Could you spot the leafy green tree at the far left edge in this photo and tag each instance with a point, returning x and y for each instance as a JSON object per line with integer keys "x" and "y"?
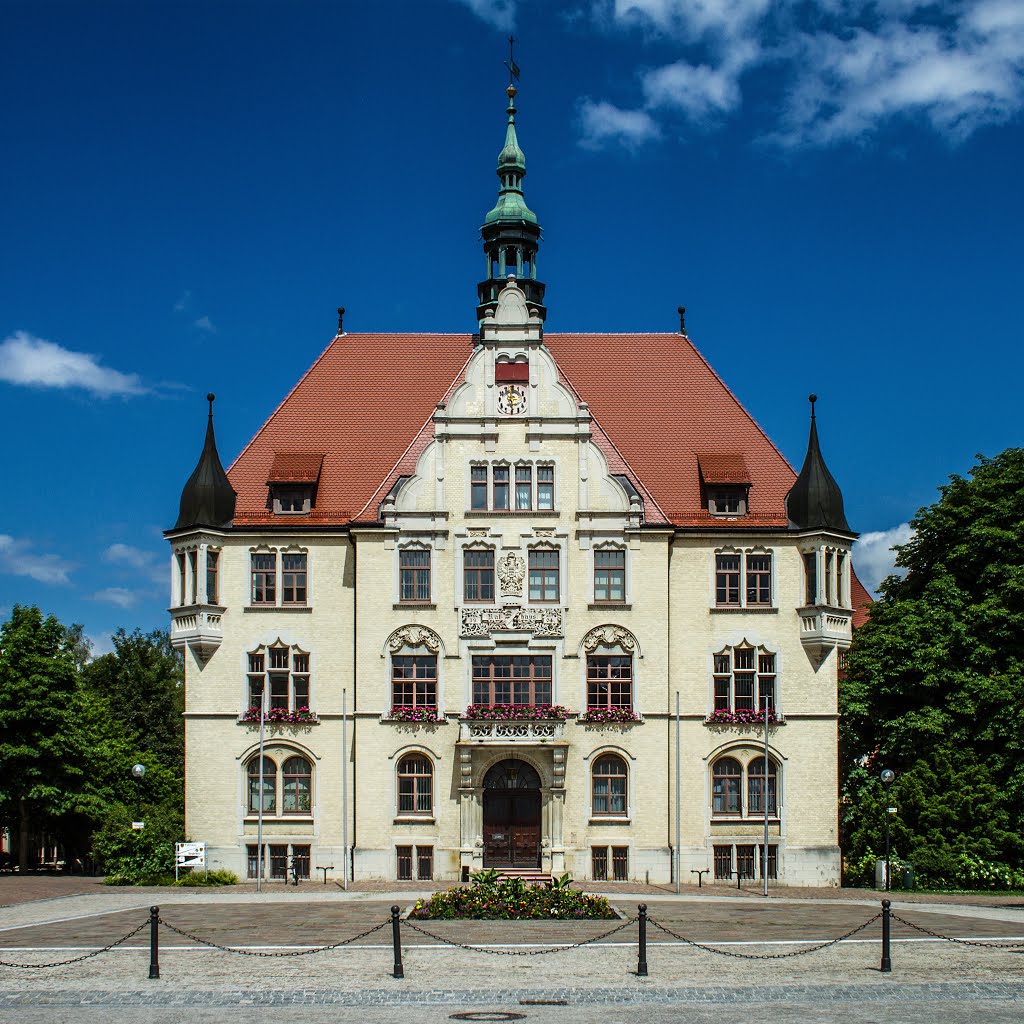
{"x": 38, "y": 687}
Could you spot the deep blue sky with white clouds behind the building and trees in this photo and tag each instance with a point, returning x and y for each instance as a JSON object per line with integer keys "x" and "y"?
{"x": 190, "y": 190}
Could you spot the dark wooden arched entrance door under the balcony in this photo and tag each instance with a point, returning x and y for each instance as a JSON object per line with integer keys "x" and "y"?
{"x": 513, "y": 816}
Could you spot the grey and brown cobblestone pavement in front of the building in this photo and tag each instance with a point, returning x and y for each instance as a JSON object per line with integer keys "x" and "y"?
{"x": 841, "y": 984}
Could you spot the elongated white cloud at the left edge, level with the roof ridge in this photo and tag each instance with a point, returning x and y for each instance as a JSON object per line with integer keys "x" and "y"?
{"x": 34, "y": 362}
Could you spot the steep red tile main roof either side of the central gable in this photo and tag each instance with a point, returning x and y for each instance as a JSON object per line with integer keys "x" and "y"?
{"x": 367, "y": 405}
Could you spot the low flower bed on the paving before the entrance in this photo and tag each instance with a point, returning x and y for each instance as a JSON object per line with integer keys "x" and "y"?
{"x": 513, "y": 900}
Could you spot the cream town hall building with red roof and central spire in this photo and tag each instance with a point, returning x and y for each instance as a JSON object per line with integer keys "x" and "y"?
{"x": 547, "y": 603}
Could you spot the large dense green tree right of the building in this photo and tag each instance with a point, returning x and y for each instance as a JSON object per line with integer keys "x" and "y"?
{"x": 935, "y": 684}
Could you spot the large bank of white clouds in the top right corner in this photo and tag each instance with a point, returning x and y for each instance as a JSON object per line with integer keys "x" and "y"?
{"x": 840, "y": 70}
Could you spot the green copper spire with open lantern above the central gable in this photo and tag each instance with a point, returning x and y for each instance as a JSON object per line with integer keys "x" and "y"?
{"x": 511, "y": 232}
